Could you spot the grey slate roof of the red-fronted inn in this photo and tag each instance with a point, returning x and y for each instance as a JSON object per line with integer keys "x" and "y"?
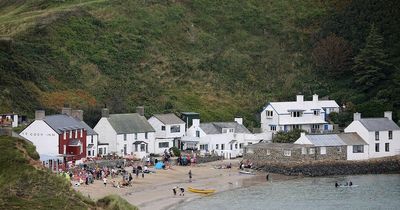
{"x": 61, "y": 122}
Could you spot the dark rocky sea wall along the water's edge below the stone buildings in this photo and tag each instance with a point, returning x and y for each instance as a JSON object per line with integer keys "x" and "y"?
{"x": 324, "y": 168}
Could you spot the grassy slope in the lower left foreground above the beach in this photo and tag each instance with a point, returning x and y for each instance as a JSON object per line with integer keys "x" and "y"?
{"x": 24, "y": 184}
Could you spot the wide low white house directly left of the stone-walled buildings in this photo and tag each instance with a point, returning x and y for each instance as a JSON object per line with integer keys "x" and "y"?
{"x": 224, "y": 138}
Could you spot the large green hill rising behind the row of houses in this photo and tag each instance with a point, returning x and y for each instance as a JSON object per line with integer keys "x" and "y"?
{"x": 219, "y": 58}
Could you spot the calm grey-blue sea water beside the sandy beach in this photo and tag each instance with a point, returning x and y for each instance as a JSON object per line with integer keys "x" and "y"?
{"x": 369, "y": 192}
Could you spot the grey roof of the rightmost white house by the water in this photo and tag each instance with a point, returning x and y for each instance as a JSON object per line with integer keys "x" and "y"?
{"x": 379, "y": 124}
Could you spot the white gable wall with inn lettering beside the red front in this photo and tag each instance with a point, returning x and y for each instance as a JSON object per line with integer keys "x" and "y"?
{"x": 42, "y": 136}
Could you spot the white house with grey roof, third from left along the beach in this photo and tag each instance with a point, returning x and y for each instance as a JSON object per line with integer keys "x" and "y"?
{"x": 169, "y": 131}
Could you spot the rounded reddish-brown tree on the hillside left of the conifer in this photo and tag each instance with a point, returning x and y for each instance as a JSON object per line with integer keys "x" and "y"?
{"x": 332, "y": 55}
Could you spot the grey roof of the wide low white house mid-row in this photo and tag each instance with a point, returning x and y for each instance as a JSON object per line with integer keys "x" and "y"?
{"x": 216, "y": 127}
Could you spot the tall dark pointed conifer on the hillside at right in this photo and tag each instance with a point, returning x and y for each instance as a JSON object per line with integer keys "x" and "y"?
{"x": 370, "y": 65}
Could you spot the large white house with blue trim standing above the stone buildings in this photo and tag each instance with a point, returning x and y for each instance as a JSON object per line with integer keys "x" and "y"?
{"x": 310, "y": 116}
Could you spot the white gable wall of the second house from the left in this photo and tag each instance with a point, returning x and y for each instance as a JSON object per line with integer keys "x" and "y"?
{"x": 107, "y": 134}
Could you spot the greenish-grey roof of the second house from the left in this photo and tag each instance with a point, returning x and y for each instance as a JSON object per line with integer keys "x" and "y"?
{"x": 130, "y": 123}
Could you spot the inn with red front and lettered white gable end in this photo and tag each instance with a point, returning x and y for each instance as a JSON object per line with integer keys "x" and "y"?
{"x": 57, "y": 135}
